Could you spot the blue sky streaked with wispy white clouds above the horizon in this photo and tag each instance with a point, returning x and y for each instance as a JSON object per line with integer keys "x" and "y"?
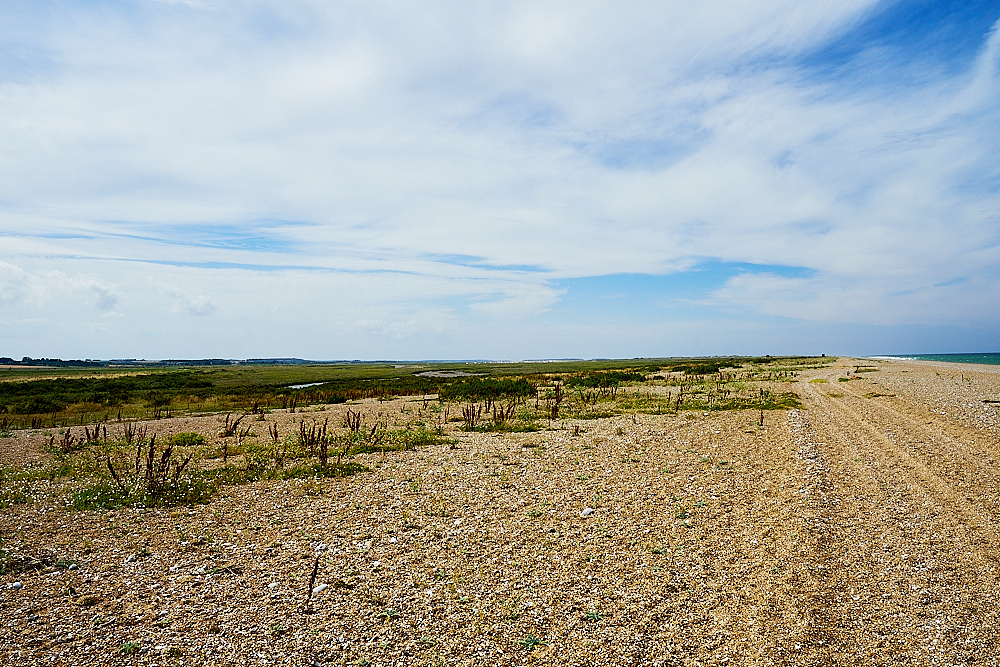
{"x": 328, "y": 180}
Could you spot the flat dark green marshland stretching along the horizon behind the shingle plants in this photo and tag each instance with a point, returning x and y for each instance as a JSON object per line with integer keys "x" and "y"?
{"x": 62, "y": 393}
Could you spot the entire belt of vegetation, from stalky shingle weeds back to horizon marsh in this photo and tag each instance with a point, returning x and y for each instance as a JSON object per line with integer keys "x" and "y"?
{"x": 111, "y": 461}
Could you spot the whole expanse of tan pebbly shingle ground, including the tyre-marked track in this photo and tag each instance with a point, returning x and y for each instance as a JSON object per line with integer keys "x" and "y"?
{"x": 860, "y": 529}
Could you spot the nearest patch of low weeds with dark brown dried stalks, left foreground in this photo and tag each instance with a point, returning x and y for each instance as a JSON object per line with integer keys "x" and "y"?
{"x": 129, "y": 468}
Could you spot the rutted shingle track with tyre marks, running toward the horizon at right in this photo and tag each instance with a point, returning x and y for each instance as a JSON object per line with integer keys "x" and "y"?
{"x": 901, "y": 506}
